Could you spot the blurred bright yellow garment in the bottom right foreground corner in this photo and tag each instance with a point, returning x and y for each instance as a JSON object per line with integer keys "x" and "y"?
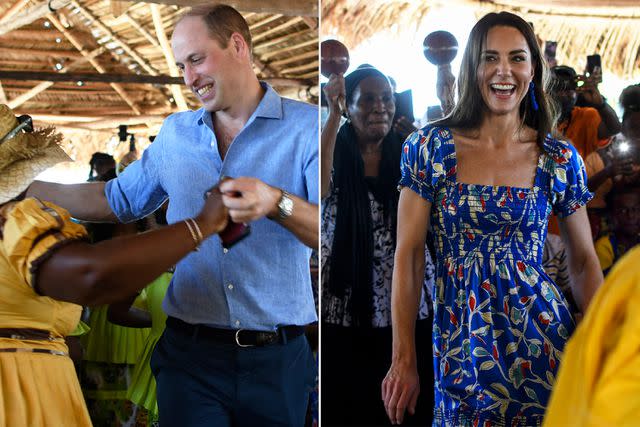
{"x": 599, "y": 380}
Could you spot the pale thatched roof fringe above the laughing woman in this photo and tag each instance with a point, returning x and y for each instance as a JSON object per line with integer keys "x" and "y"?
{"x": 580, "y": 27}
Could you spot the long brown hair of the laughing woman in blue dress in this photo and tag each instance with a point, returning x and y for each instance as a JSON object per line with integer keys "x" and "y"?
{"x": 469, "y": 111}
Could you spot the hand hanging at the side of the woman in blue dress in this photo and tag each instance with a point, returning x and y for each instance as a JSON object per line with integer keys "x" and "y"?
{"x": 400, "y": 390}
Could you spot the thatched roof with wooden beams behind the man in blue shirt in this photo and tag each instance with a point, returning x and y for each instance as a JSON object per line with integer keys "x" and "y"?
{"x": 106, "y": 47}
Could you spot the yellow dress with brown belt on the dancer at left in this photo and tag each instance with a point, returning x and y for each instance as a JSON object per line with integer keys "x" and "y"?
{"x": 36, "y": 389}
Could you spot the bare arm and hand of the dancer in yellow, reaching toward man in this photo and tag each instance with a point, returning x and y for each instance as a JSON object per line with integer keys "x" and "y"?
{"x": 93, "y": 274}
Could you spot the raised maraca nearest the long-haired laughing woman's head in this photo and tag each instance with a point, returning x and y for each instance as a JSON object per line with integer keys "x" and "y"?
{"x": 440, "y": 48}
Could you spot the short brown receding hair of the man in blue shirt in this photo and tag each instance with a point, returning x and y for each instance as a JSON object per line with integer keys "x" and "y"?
{"x": 222, "y": 21}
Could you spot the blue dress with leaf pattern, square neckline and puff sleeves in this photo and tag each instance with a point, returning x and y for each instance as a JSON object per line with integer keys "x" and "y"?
{"x": 500, "y": 323}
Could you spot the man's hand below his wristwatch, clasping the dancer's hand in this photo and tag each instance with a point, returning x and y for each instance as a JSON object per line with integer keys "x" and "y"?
{"x": 249, "y": 199}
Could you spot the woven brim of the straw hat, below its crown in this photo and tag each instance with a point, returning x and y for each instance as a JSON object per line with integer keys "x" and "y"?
{"x": 17, "y": 176}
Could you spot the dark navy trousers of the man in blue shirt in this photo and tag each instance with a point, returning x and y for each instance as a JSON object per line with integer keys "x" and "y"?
{"x": 202, "y": 382}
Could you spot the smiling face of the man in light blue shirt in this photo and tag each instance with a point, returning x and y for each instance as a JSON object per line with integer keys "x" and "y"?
{"x": 207, "y": 67}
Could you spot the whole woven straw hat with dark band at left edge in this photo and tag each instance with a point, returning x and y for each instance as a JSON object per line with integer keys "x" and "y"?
{"x": 26, "y": 155}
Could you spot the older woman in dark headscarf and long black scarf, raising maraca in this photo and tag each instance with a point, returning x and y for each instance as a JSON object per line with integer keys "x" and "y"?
{"x": 359, "y": 175}
